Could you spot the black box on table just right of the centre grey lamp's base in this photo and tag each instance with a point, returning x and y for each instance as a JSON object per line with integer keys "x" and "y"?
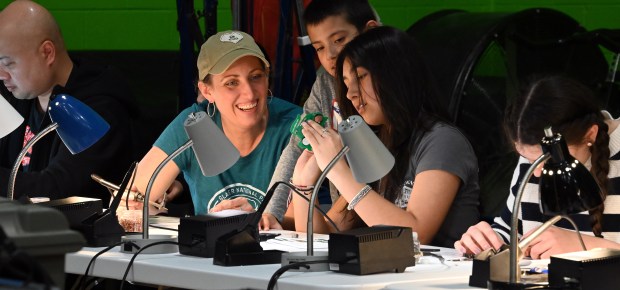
{"x": 371, "y": 250}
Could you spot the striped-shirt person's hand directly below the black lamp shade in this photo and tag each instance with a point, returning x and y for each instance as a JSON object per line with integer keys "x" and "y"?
{"x": 551, "y": 242}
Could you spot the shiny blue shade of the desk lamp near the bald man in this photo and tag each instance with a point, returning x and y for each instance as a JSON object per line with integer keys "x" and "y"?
{"x": 79, "y": 126}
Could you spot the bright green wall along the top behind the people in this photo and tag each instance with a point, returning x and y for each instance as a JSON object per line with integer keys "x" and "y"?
{"x": 151, "y": 24}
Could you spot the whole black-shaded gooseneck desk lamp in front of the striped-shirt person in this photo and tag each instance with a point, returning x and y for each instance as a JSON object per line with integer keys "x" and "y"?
{"x": 566, "y": 187}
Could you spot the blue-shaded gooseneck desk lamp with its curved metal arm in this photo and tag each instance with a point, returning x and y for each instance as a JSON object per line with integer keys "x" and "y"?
{"x": 77, "y": 125}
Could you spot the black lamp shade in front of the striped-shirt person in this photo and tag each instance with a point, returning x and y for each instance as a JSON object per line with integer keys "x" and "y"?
{"x": 566, "y": 185}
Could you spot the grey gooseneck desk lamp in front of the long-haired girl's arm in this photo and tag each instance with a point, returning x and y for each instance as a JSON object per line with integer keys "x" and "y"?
{"x": 369, "y": 161}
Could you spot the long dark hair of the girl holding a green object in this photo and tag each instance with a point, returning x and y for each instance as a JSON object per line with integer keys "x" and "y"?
{"x": 405, "y": 90}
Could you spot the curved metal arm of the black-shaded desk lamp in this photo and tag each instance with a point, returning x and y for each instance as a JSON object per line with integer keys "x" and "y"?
{"x": 515, "y": 216}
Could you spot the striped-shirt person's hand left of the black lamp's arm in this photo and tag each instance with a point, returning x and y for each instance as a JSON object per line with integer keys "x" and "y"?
{"x": 478, "y": 238}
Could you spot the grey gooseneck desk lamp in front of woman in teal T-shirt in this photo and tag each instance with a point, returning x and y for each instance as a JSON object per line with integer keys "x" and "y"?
{"x": 215, "y": 154}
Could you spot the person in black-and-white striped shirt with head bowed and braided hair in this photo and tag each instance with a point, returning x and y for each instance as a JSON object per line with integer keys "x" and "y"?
{"x": 593, "y": 139}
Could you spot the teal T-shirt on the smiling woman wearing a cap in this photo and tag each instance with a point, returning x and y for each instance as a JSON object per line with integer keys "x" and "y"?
{"x": 249, "y": 177}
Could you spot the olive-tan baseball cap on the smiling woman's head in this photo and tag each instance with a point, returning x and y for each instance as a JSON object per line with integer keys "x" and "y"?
{"x": 223, "y": 49}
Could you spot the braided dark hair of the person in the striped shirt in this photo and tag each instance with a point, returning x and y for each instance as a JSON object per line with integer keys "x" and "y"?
{"x": 571, "y": 109}
